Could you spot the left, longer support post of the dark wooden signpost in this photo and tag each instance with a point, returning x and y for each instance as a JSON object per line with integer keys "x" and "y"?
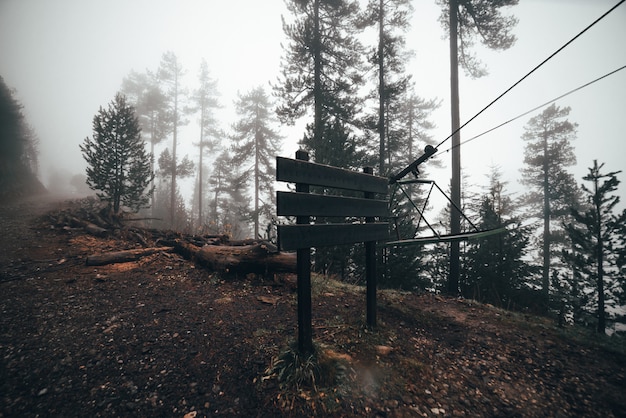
{"x": 305, "y": 328}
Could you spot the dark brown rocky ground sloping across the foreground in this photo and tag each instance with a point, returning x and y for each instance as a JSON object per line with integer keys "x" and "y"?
{"x": 162, "y": 337}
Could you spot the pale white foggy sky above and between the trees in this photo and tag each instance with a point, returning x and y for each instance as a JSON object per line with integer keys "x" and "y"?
{"x": 66, "y": 58}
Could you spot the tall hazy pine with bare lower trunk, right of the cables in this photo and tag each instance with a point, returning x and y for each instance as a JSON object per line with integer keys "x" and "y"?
{"x": 552, "y": 189}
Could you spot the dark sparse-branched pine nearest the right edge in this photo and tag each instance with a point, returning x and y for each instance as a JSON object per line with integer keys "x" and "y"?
{"x": 594, "y": 236}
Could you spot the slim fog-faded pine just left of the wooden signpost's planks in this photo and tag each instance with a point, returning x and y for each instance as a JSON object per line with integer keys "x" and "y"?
{"x": 256, "y": 145}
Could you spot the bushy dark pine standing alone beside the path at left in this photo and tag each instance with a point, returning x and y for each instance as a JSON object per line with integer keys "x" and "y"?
{"x": 118, "y": 164}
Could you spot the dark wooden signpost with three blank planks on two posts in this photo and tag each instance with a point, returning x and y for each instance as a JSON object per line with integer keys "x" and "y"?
{"x": 305, "y": 234}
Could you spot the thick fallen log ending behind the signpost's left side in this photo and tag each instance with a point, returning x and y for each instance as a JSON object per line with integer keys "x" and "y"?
{"x": 259, "y": 258}
